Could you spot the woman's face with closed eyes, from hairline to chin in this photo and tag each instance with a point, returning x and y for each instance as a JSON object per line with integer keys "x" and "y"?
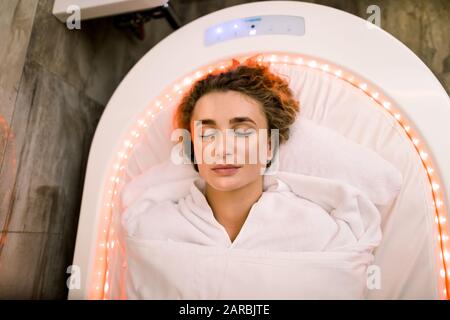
{"x": 230, "y": 128}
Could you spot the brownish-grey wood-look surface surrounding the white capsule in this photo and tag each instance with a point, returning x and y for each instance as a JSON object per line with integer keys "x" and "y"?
{"x": 54, "y": 84}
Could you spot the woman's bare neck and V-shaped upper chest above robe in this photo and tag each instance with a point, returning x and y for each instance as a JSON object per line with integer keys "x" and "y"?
{"x": 231, "y": 208}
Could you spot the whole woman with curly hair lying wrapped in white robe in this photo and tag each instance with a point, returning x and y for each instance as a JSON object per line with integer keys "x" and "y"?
{"x": 239, "y": 233}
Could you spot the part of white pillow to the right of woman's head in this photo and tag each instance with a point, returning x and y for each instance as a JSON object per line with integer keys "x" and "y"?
{"x": 319, "y": 151}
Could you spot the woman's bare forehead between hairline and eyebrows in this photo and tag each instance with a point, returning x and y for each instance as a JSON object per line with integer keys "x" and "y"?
{"x": 223, "y": 106}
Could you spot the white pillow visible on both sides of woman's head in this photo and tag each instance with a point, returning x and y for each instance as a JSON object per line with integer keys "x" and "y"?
{"x": 311, "y": 150}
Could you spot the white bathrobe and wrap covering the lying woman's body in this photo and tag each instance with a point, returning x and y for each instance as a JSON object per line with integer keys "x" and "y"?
{"x": 305, "y": 238}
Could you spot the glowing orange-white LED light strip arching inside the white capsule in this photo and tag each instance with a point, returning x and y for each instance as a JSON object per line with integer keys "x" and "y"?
{"x": 100, "y": 284}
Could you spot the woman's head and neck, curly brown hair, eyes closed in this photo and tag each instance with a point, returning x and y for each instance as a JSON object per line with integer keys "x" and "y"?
{"x": 247, "y": 100}
